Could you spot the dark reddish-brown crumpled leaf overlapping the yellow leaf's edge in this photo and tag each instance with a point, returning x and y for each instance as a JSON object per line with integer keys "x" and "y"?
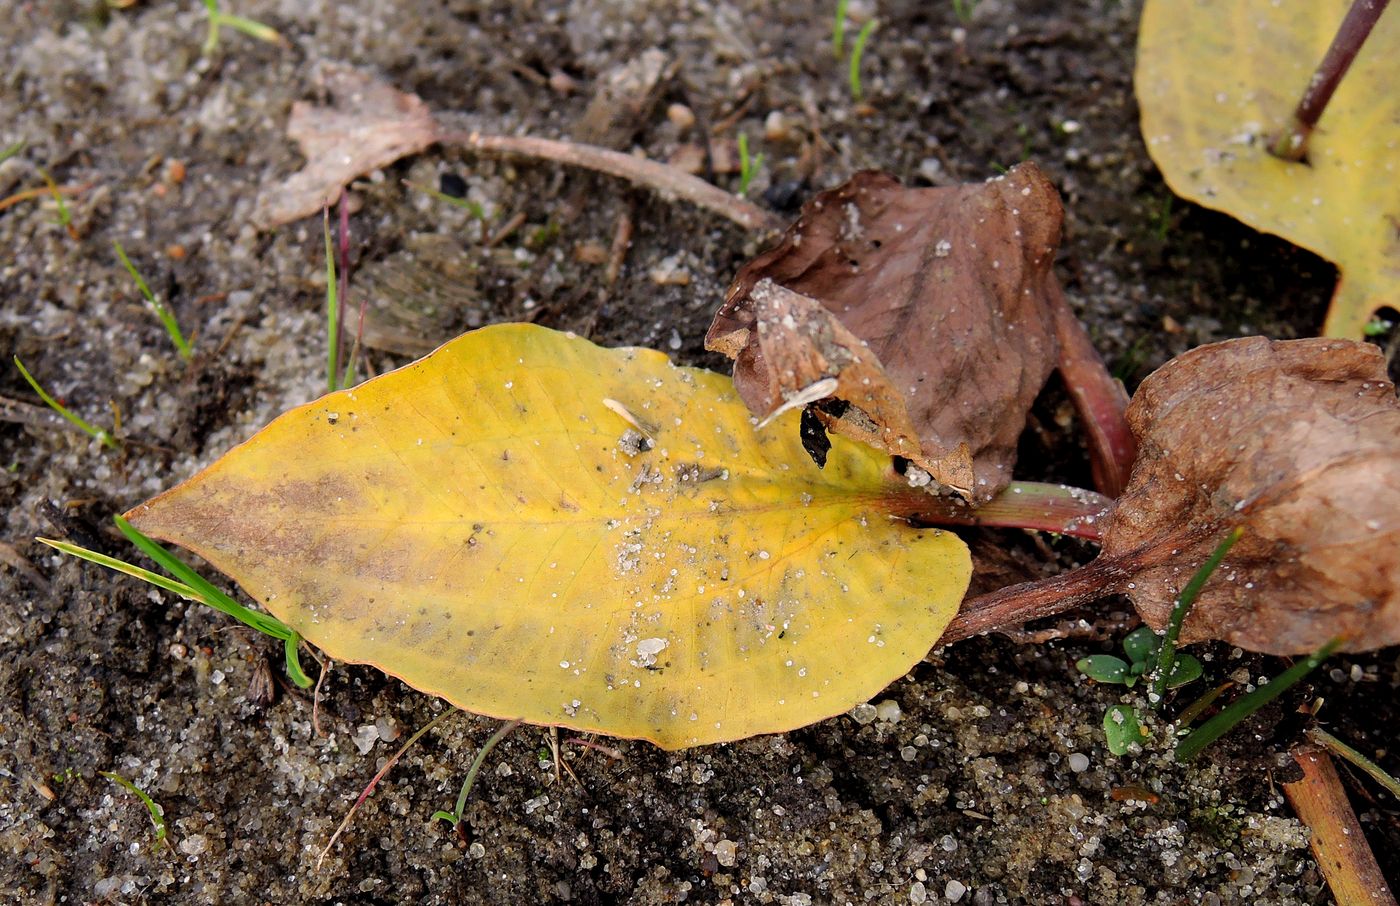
{"x": 925, "y": 310}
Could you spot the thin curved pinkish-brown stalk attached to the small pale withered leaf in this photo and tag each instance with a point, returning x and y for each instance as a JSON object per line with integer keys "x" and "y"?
{"x": 667, "y": 181}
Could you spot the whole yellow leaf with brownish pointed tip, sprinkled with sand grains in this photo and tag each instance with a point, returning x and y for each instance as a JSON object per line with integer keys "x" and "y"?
{"x": 486, "y": 526}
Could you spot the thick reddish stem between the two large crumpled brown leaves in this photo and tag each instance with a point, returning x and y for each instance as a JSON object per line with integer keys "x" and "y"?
{"x": 1100, "y": 400}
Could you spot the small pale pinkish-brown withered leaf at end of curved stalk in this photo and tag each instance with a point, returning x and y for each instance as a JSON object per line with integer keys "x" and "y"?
{"x": 369, "y": 125}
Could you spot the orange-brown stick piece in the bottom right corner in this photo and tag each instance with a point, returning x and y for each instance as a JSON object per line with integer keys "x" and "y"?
{"x": 1338, "y": 842}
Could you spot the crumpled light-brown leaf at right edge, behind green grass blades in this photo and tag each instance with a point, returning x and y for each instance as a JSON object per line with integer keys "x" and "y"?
{"x": 1298, "y": 442}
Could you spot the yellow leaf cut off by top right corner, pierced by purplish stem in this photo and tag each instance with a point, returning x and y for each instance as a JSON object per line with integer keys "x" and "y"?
{"x": 1219, "y": 82}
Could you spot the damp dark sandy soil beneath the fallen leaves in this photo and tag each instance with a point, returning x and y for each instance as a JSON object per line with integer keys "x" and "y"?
{"x": 985, "y": 782}
